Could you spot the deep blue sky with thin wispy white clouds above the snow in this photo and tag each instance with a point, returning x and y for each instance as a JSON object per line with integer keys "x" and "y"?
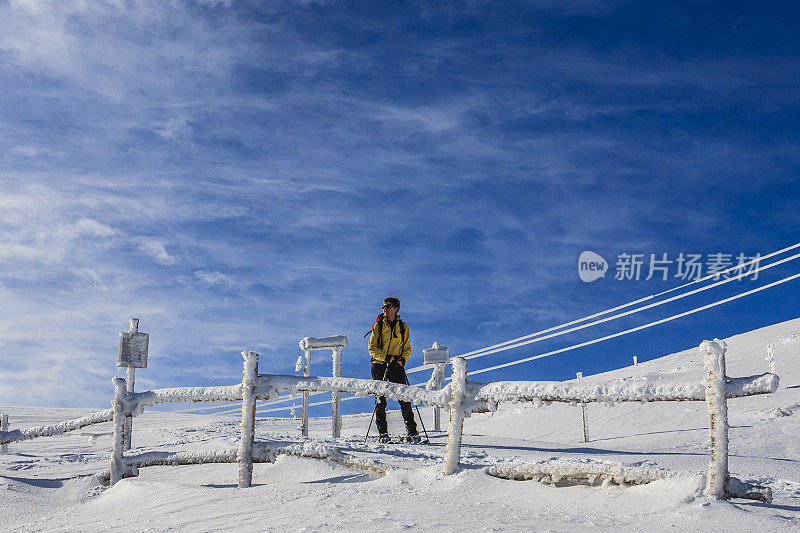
{"x": 245, "y": 174}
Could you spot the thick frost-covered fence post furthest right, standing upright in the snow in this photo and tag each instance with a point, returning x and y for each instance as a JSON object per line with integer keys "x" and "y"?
{"x": 717, "y": 402}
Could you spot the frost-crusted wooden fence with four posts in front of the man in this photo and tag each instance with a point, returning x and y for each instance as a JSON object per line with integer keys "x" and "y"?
{"x": 460, "y": 396}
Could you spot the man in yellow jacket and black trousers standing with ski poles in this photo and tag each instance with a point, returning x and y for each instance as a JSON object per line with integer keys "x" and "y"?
{"x": 390, "y": 348}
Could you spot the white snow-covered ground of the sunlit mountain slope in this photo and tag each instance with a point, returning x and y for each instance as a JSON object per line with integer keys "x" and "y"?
{"x": 50, "y": 483}
